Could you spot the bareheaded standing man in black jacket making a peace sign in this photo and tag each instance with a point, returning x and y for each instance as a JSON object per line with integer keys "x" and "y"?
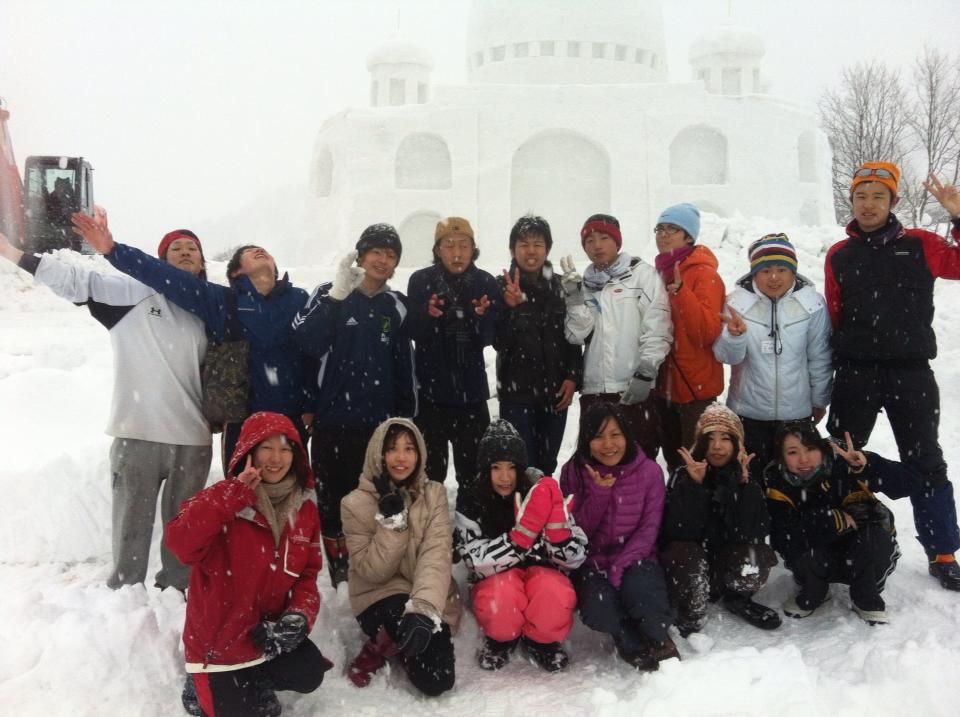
{"x": 538, "y": 370}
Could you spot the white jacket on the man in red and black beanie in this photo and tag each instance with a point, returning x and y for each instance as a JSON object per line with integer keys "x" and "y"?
{"x": 626, "y": 326}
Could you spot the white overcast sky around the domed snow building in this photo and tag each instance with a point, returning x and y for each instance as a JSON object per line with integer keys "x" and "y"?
{"x": 192, "y": 109}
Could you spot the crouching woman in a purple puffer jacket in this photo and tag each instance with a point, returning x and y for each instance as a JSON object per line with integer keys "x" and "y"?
{"x": 618, "y": 502}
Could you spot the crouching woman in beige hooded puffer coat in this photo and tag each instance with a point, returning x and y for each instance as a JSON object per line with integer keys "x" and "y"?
{"x": 398, "y": 532}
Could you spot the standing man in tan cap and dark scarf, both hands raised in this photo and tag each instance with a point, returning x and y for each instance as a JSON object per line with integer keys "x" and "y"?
{"x": 453, "y": 309}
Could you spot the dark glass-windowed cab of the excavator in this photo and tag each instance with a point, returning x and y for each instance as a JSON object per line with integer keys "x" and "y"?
{"x": 54, "y": 188}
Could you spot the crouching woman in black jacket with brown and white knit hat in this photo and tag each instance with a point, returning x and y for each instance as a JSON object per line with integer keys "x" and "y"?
{"x": 715, "y": 526}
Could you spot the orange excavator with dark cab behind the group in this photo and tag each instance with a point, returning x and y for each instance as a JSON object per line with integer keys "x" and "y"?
{"x": 35, "y": 211}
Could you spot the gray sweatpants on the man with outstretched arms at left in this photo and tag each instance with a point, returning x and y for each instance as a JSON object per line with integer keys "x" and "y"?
{"x": 138, "y": 469}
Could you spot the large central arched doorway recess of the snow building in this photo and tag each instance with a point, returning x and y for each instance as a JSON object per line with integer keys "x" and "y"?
{"x": 564, "y": 177}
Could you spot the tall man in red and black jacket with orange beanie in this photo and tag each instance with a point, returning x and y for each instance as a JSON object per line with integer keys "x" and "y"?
{"x": 879, "y": 290}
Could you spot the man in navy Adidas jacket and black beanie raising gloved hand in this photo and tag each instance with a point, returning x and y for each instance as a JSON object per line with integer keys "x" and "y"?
{"x": 357, "y": 328}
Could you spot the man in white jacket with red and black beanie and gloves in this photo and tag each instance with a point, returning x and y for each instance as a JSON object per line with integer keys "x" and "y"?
{"x": 620, "y": 311}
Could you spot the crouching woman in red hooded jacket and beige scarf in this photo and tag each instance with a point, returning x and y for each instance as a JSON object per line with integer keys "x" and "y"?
{"x": 253, "y": 542}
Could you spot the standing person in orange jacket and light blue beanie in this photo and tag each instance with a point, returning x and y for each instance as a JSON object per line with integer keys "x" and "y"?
{"x": 691, "y": 378}
